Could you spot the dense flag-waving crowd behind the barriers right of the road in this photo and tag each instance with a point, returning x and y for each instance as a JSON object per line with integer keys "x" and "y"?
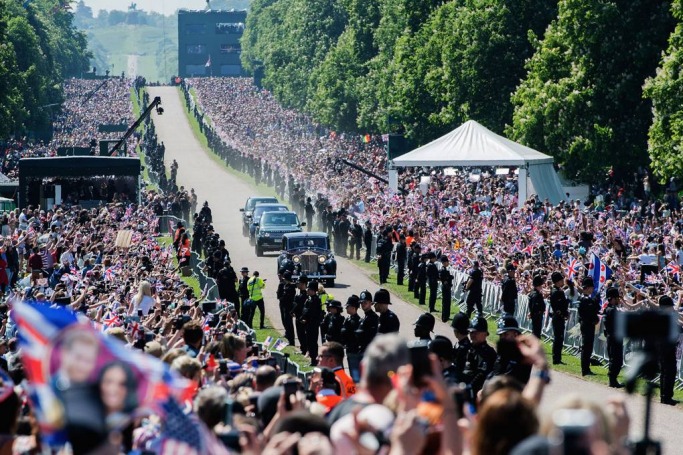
{"x": 466, "y": 219}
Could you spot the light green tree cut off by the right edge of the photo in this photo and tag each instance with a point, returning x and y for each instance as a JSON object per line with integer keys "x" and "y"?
{"x": 666, "y": 92}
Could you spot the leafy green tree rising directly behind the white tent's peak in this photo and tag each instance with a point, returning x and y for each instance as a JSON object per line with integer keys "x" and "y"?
{"x": 463, "y": 64}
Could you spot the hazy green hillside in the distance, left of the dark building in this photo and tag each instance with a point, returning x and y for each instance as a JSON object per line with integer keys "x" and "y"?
{"x": 136, "y": 48}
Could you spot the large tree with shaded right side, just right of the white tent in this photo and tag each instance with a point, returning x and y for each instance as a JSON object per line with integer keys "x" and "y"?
{"x": 582, "y": 99}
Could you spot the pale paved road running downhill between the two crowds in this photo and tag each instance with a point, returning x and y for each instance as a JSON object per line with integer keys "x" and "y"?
{"x": 227, "y": 193}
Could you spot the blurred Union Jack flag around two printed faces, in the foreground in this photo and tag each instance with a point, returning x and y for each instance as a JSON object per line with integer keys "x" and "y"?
{"x": 41, "y": 335}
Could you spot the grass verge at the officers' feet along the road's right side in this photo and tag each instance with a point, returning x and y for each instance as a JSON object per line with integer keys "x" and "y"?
{"x": 571, "y": 363}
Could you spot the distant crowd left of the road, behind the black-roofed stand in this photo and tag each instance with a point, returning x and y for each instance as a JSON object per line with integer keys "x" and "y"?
{"x": 88, "y": 103}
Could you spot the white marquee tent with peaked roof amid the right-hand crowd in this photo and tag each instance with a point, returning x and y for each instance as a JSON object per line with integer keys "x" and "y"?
{"x": 472, "y": 145}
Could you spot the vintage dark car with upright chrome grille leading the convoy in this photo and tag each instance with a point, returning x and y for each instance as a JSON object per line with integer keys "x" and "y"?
{"x": 308, "y": 253}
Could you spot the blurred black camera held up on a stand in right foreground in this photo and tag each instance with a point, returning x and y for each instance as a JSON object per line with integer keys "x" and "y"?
{"x": 651, "y": 325}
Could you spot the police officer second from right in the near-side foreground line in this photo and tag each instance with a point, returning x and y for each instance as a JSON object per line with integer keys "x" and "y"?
{"x": 480, "y": 358}
